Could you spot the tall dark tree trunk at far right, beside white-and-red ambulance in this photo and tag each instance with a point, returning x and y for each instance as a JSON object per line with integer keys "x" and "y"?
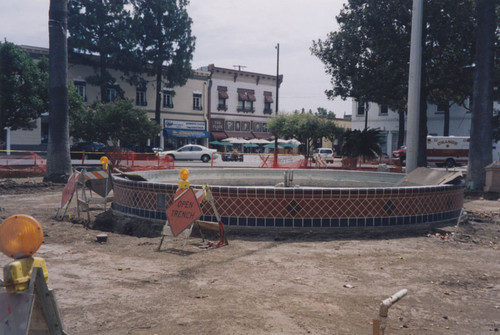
{"x": 482, "y": 106}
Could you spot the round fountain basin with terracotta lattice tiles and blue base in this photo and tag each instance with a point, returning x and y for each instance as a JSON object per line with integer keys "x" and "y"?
{"x": 258, "y": 206}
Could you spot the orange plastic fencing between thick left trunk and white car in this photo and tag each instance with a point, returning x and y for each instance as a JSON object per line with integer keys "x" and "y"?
{"x": 133, "y": 161}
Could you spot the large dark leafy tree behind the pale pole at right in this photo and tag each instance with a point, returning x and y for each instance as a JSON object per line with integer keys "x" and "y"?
{"x": 367, "y": 58}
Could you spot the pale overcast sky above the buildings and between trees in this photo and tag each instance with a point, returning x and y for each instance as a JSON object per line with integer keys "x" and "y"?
{"x": 229, "y": 33}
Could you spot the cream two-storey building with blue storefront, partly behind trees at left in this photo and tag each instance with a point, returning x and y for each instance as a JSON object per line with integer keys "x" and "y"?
{"x": 183, "y": 110}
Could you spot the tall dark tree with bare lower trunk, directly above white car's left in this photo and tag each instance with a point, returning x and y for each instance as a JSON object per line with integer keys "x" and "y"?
{"x": 166, "y": 45}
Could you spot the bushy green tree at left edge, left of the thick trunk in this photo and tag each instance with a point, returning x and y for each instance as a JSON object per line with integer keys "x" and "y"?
{"x": 22, "y": 88}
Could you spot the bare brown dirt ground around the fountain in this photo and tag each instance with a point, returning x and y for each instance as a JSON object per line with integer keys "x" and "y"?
{"x": 308, "y": 283}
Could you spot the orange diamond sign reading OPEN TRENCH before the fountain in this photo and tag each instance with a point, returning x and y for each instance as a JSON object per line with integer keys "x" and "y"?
{"x": 183, "y": 212}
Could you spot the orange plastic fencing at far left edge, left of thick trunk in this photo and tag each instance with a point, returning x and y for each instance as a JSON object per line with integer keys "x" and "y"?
{"x": 22, "y": 164}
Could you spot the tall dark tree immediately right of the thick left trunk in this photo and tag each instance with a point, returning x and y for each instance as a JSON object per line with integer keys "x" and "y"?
{"x": 101, "y": 28}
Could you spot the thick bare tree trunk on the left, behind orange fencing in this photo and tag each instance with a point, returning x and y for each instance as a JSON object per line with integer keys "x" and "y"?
{"x": 58, "y": 157}
